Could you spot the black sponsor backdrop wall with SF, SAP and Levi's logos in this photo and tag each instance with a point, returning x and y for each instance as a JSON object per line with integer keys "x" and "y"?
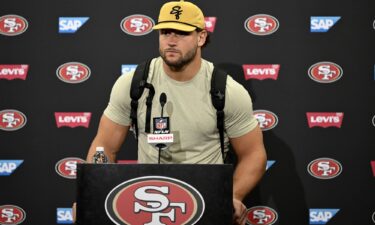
{"x": 308, "y": 65}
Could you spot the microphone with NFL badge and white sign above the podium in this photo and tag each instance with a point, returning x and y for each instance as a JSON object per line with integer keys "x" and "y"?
{"x": 161, "y": 138}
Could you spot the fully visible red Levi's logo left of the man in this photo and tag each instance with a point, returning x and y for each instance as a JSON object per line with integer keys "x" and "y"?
{"x": 73, "y": 119}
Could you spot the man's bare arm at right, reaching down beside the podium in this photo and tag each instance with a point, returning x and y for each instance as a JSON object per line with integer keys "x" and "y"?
{"x": 251, "y": 166}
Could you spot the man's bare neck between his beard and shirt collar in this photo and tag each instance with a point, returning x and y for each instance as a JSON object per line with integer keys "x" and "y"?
{"x": 186, "y": 73}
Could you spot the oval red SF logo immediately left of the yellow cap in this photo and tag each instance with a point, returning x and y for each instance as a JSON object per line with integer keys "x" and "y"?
{"x": 137, "y": 25}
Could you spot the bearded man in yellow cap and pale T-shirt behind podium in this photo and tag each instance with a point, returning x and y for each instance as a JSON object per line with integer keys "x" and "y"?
{"x": 185, "y": 79}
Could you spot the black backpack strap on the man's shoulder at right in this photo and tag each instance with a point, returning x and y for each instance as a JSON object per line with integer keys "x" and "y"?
{"x": 218, "y": 85}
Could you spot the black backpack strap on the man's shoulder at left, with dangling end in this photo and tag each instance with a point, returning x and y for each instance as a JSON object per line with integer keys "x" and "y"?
{"x": 139, "y": 83}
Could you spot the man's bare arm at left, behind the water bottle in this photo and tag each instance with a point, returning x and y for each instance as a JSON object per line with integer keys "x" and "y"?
{"x": 111, "y": 136}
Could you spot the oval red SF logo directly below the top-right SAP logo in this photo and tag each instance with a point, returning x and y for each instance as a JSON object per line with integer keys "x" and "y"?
{"x": 325, "y": 72}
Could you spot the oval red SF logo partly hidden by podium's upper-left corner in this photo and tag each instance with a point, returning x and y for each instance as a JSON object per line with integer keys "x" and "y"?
{"x": 67, "y": 167}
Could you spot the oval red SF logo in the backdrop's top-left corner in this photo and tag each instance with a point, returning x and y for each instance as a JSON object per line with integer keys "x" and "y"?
{"x": 12, "y": 25}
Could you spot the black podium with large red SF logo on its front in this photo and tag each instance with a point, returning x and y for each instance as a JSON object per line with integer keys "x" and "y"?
{"x": 154, "y": 194}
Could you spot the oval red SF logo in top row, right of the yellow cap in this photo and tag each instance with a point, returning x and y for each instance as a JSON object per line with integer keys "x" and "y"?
{"x": 261, "y": 24}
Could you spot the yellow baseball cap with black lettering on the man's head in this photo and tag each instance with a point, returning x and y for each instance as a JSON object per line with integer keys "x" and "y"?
{"x": 181, "y": 15}
